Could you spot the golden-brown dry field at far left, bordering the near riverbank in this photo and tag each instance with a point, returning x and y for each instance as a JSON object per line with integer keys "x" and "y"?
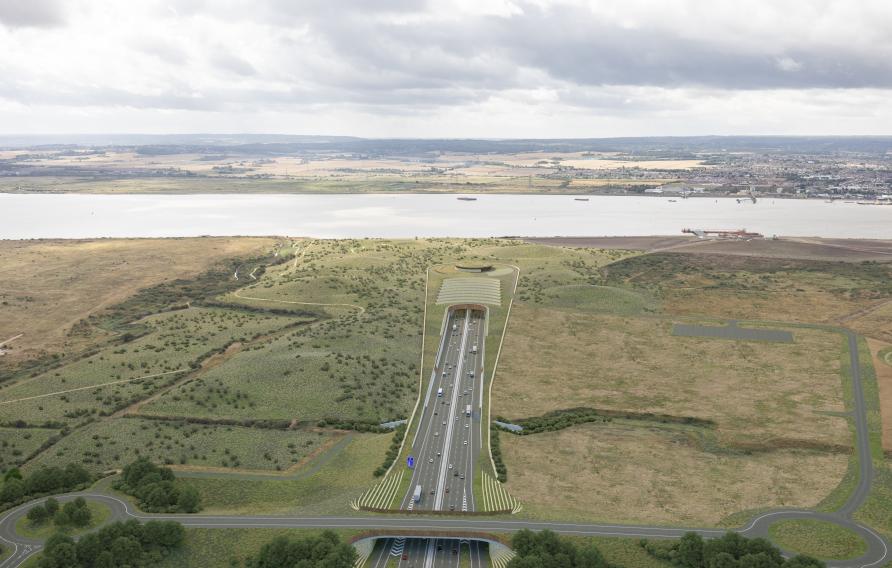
{"x": 49, "y": 286}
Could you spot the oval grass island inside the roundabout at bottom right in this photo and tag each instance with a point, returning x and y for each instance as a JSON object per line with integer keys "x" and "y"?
{"x": 827, "y": 541}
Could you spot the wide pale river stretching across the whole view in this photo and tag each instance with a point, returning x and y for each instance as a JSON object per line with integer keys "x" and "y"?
{"x": 26, "y": 216}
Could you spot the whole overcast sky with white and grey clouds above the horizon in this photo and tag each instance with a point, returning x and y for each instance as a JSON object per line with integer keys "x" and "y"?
{"x": 447, "y": 68}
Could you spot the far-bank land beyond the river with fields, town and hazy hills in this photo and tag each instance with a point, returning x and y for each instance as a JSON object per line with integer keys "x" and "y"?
{"x": 849, "y": 168}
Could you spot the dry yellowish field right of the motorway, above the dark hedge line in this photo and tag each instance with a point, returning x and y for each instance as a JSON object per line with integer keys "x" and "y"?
{"x": 760, "y": 394}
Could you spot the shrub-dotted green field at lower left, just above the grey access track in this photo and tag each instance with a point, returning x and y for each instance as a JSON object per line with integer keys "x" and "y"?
{"x": 111, "y": 444}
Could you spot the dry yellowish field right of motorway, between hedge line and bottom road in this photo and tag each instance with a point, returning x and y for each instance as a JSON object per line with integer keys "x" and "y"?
{"x": 626, "y": 474}
